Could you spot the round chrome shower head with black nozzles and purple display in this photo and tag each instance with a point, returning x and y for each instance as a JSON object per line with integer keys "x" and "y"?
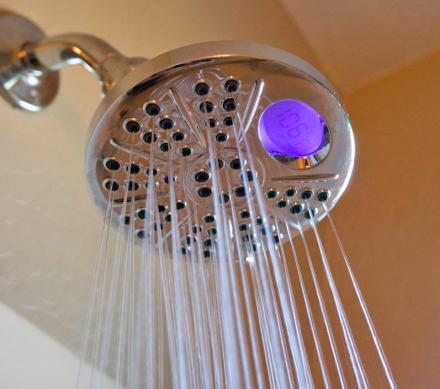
{"x": 161, "y": 122}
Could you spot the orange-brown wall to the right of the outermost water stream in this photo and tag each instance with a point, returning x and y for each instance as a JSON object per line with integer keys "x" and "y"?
{"x": 389, "y": 219}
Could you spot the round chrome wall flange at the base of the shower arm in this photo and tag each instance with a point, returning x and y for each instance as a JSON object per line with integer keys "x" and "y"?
{"x": 22, "y": 87}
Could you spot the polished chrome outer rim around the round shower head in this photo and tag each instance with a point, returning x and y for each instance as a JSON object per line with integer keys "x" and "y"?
{"x": 169, "y": 64}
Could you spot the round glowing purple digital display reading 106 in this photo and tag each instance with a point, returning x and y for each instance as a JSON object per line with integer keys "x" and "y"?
{"x": 291, "y": 128}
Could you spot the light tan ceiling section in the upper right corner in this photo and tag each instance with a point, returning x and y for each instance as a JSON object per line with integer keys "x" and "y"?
{"x": 358, "y": 40}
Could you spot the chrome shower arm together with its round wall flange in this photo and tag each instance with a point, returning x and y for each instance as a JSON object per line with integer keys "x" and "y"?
{"x": 30, "y": 61}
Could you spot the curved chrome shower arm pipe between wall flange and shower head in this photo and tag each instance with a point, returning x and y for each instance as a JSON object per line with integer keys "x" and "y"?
{"x": 97, "y": 56}
